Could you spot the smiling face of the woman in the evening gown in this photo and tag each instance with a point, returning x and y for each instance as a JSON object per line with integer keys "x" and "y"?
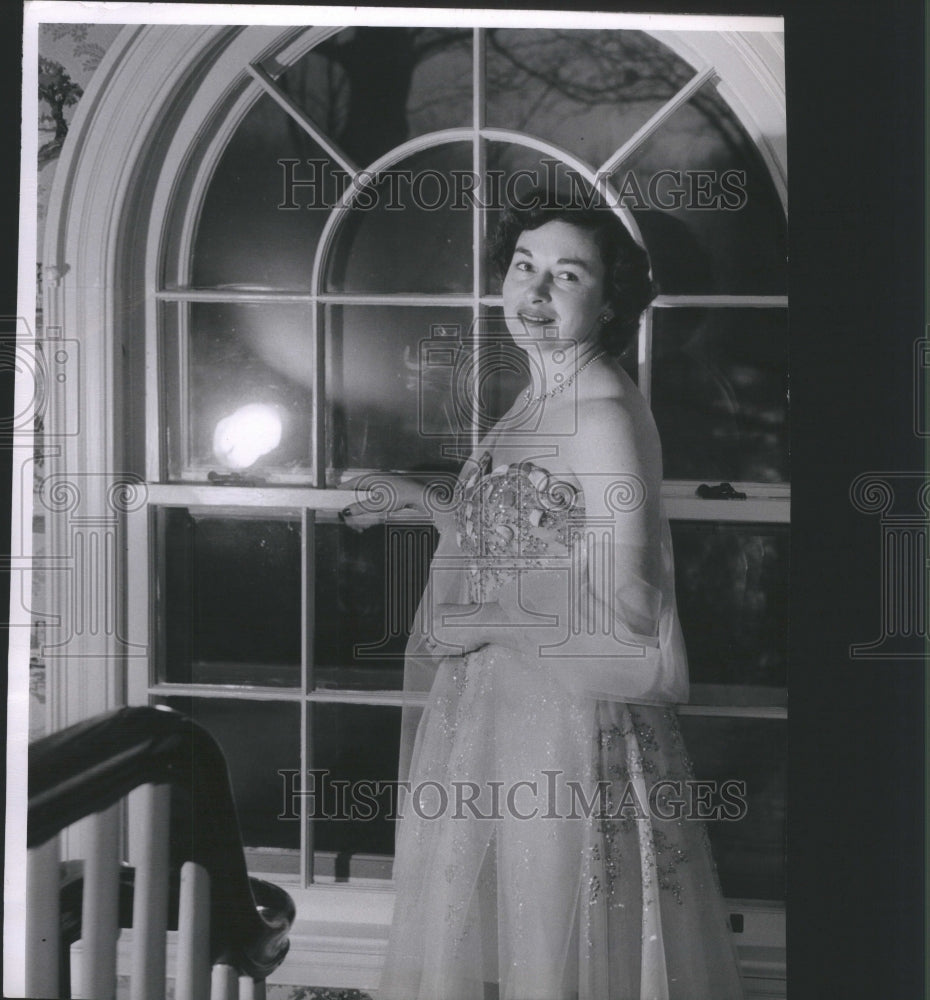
{"x": 555, "y": 283}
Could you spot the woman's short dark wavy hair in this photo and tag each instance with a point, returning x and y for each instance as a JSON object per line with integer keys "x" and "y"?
{"x": 629, "y": 288}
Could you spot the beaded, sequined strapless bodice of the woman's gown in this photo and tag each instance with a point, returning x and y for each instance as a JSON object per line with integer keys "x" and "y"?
{"x": 511, "y": 518}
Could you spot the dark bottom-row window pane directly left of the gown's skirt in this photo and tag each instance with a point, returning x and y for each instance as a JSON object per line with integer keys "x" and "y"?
{"x": 357, "y": 744}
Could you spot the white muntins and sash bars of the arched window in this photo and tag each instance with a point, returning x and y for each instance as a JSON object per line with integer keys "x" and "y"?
{"x": 174, "y": 262}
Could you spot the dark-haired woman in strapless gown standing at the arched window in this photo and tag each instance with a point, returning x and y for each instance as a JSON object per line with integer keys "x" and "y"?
{"x": 547, "y": 849}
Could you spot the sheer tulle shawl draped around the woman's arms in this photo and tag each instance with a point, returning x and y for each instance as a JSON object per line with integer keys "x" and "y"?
{"x": 608, "y": 634}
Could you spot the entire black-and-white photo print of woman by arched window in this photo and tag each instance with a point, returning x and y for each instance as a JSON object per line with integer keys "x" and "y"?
{"x": 402, "y": 558}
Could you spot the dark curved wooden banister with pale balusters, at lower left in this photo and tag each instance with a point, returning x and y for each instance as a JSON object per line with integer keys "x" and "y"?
{"x": 86, "y": 770}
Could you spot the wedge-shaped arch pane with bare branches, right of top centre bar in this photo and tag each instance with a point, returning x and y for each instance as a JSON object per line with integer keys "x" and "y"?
{"x": 586, "y": 91}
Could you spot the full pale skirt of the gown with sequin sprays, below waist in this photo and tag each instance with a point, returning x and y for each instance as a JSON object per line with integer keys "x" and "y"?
{"x": 548, "y": 850}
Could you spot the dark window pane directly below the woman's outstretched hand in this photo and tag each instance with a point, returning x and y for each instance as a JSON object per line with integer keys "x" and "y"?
{"x": 368, "y": 587}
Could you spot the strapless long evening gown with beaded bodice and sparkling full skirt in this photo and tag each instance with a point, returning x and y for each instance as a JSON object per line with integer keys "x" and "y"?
{"x": 593, "y": 896}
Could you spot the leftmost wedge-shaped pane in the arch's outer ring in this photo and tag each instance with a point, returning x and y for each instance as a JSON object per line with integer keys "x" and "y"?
{"x": 256, "y": 228}
